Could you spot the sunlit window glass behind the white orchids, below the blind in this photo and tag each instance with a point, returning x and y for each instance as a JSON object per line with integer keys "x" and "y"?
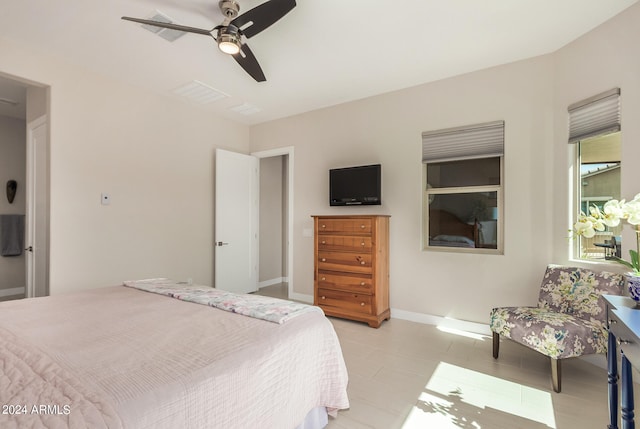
{"x": 599, "y": 160}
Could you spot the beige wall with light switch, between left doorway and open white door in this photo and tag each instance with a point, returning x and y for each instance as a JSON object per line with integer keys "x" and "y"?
{"x": 153, "y": 155}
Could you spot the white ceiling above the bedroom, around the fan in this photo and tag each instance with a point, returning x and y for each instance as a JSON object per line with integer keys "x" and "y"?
{"x": 323, "y": 53}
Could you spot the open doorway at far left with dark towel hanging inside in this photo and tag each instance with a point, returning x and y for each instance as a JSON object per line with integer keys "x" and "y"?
{"x": 24, "y": 161}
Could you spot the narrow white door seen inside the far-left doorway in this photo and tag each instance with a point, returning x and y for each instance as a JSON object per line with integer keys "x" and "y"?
{"x": 36, "y": 242}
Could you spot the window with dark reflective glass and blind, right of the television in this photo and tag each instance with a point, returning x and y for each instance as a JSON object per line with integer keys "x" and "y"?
{"x": 462, "y": 198}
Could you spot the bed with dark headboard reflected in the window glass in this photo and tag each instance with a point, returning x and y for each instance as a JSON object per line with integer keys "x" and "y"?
{"x": 446, "y": 229}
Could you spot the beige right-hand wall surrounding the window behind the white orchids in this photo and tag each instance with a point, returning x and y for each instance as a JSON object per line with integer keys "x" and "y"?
{"x": 602, "y": 59}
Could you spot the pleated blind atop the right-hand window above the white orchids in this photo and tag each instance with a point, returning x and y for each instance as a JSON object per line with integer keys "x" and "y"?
{"x": 595, "y": 116}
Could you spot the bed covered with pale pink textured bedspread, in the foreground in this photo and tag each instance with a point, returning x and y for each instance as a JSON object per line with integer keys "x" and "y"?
{"x": 121, "y": 357}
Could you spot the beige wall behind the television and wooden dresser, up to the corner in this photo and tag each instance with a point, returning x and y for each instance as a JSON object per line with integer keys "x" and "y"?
{"x": 387, "y": 129}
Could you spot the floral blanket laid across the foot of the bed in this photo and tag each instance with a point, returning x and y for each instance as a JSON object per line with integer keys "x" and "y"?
{"x": 259, "y": 307}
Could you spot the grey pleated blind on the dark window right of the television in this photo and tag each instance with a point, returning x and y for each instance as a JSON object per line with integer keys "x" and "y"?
{"x": 467, "y": 142}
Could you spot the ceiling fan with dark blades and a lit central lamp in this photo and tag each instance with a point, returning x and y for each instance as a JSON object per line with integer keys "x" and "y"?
{"x": 229, "y": 34}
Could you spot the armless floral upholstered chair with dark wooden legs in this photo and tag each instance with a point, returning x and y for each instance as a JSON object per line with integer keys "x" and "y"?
{"x": 569, "y": 321}
